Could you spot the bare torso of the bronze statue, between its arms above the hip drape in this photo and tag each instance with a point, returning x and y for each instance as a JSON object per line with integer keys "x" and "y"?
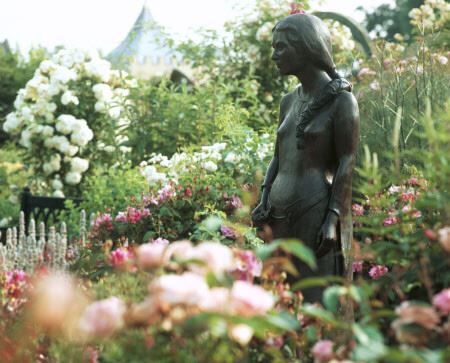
{"x": 308, "y": 171}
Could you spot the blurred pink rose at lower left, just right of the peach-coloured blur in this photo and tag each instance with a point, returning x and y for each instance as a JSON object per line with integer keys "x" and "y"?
{"x": 103, "y": 318}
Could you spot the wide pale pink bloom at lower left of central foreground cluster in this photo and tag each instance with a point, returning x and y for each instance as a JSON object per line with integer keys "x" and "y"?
{"x": 188, "y": 289}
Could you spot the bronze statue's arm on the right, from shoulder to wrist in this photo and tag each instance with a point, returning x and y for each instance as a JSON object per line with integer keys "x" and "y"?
{"x": 346, "y": 136}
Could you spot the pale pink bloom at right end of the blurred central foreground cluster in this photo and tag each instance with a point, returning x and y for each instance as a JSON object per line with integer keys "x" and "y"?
{"x": 250, "y": 300}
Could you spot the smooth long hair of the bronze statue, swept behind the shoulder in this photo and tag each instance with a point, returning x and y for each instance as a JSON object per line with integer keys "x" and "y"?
{"x": 311, "y": 37}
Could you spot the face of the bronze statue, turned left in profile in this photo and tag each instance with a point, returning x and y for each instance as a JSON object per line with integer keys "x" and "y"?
{"x": 285, "y": 55}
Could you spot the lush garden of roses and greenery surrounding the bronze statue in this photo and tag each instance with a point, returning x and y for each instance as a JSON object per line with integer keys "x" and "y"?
{"x": 155, "y": 257}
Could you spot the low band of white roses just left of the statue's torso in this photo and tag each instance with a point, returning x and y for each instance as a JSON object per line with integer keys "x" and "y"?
{"x": 241, "y": 158}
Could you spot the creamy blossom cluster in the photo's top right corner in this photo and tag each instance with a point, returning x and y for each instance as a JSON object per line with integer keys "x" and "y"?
{"x": 432, "y": 14}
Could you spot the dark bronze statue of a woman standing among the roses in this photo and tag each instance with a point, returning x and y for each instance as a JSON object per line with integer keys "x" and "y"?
{"x": 306, "y": 193}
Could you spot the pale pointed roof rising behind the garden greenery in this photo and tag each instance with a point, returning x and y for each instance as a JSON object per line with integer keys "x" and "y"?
{"x": 145, "y": 41}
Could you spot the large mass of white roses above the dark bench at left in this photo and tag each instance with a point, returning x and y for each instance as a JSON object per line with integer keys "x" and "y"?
{"x": 51, "y": 113}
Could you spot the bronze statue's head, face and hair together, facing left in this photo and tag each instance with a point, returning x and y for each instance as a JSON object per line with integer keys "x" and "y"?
{"x": 300, "y": 39}
